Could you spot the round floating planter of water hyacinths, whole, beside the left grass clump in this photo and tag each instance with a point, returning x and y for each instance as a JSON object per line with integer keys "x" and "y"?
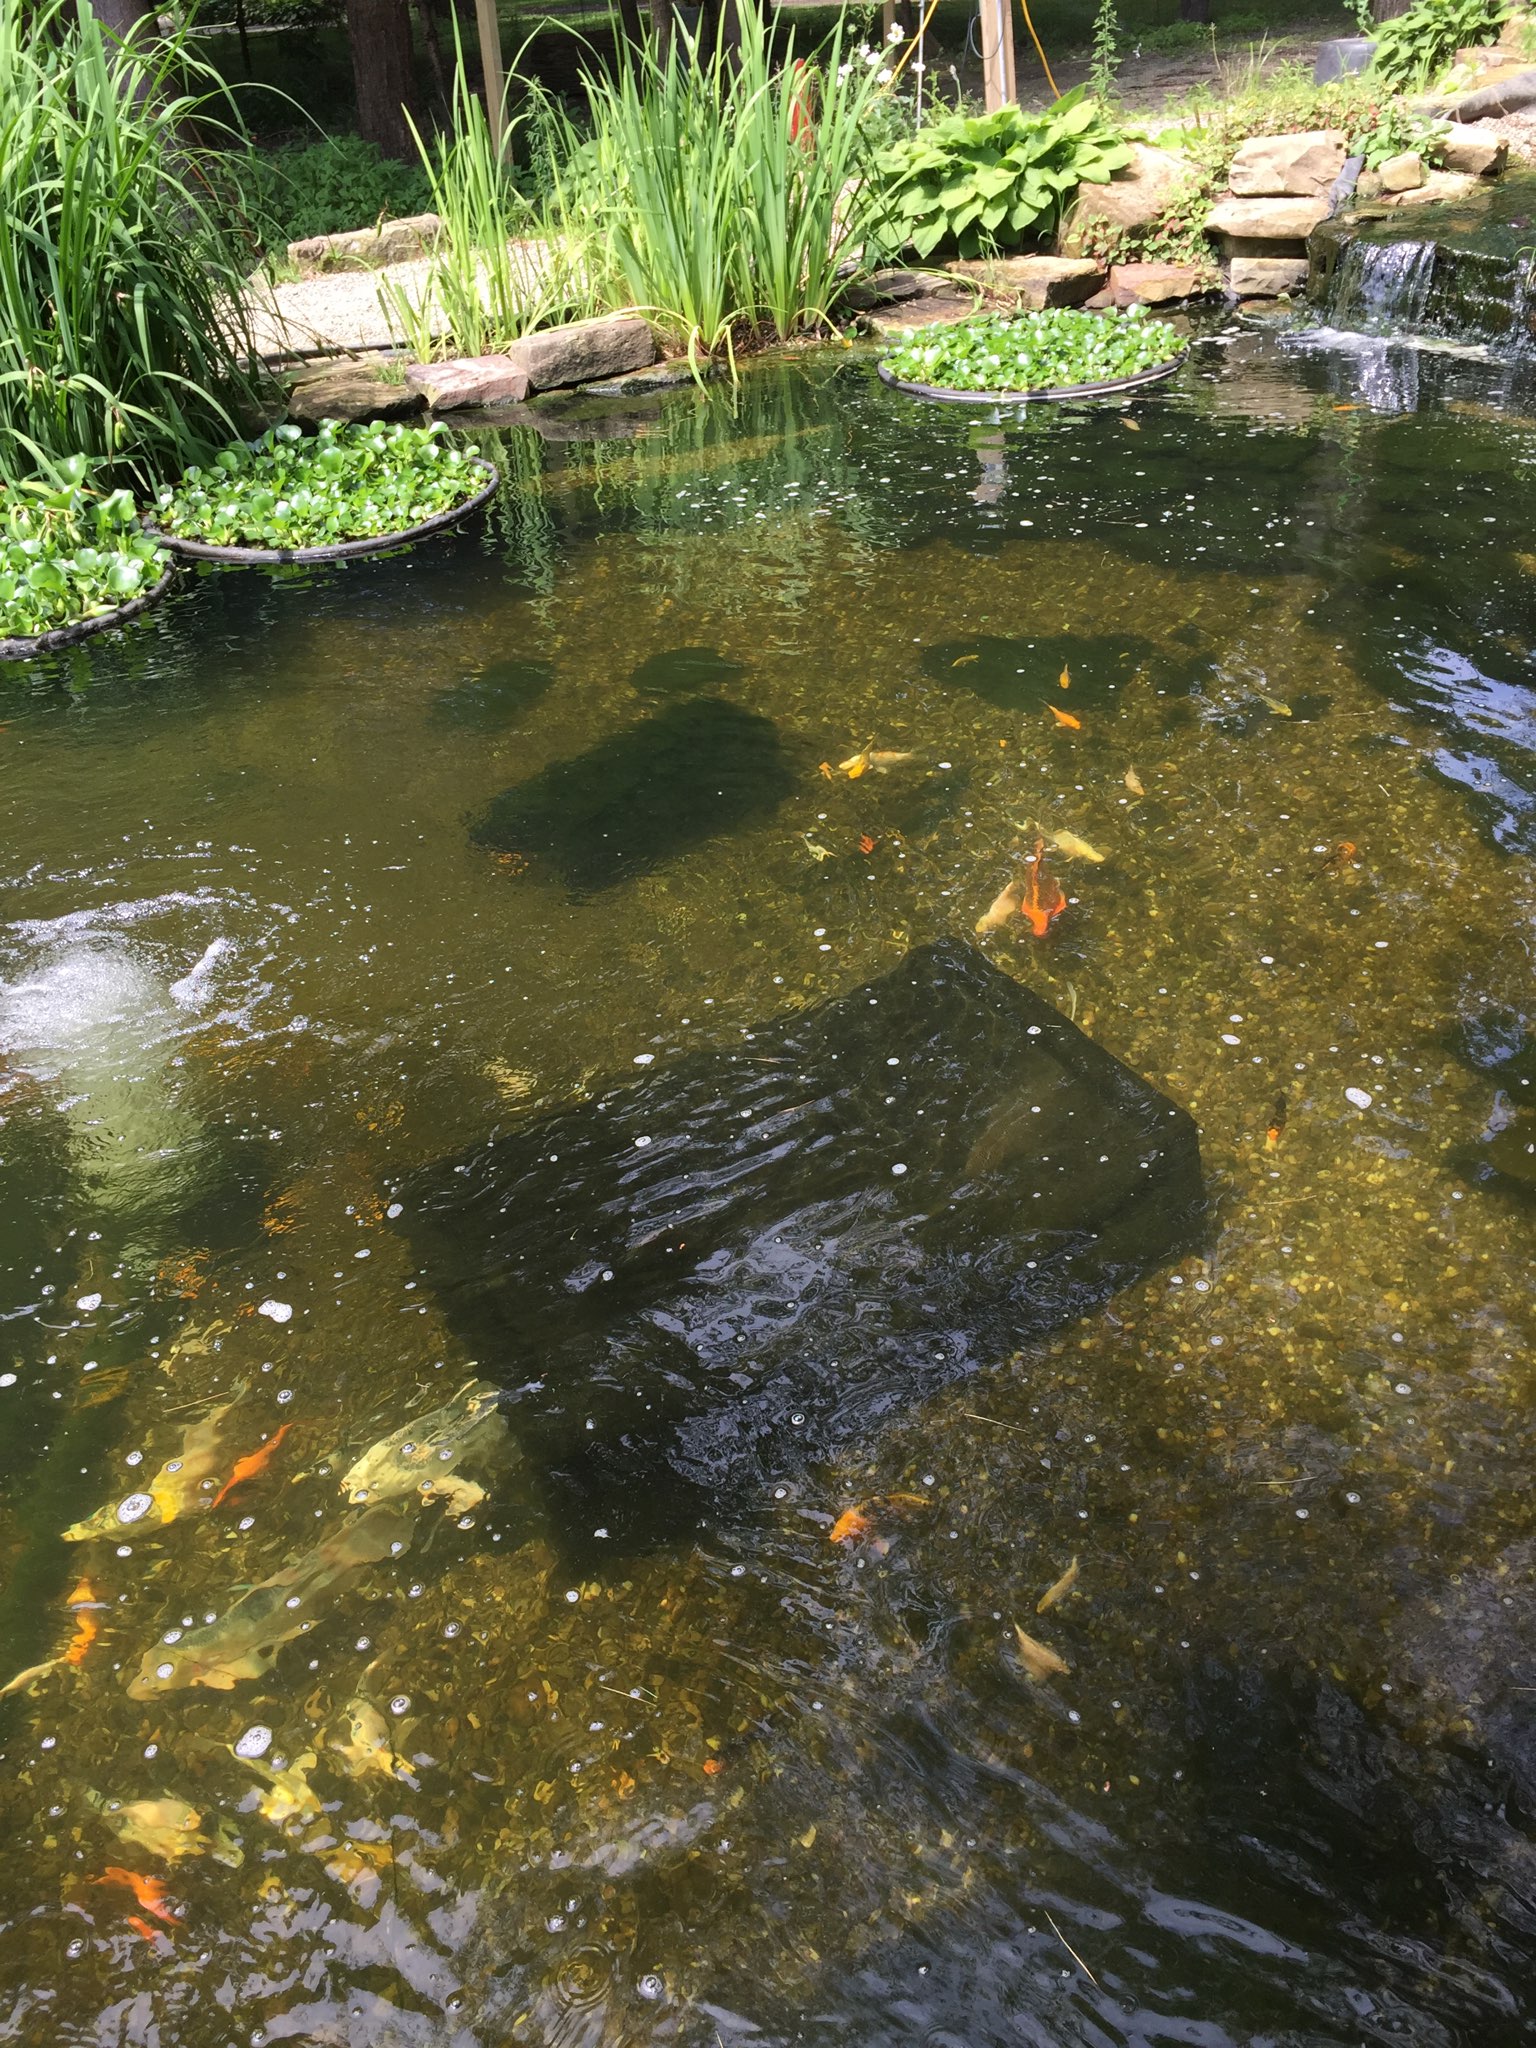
{"x": 343, "y": 484}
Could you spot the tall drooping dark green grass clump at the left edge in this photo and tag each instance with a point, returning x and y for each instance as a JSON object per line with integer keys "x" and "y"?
{"x": 122, "y": 335}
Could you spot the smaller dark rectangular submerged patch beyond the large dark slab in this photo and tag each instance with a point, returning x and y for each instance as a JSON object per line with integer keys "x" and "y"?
{"x": 644, "y": 796}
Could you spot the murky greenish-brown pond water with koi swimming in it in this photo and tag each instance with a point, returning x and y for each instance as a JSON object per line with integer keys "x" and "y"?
{"x": 323, "y": 888}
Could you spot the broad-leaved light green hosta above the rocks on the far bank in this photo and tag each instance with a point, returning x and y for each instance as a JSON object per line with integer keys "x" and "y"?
{"x": 980, "y": 183}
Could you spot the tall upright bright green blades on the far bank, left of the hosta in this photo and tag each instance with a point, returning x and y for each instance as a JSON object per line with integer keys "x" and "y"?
{"x": 728, "y": 191}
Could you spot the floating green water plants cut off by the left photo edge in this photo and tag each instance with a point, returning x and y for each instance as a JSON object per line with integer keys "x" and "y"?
{"x": 71, "y": 554}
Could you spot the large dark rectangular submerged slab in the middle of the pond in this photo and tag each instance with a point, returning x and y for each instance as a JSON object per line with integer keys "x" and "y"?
{"x": 757, "y": 1256}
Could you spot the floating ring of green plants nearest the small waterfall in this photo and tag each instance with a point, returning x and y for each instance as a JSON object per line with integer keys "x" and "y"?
{"x": 1048, "y": 351}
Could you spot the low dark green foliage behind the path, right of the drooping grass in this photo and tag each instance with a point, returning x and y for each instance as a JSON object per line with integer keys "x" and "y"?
{"x": 323, "y": 189}
